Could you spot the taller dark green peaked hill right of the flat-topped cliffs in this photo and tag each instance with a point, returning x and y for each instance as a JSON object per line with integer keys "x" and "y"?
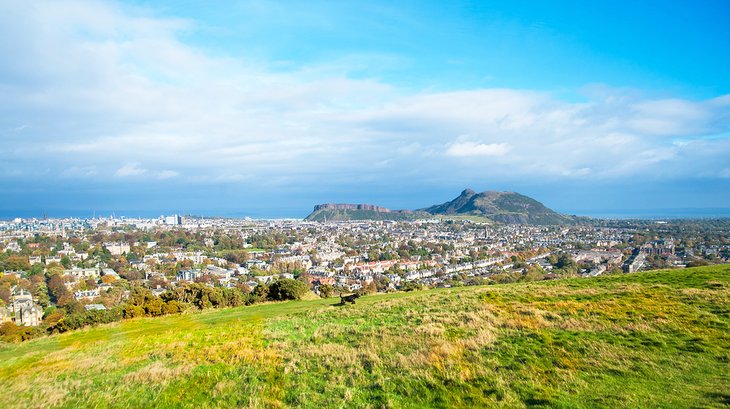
{"x": 505, "y": 207}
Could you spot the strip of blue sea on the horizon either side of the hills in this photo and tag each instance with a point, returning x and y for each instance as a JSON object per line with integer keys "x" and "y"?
{"x": 651, "y": 214}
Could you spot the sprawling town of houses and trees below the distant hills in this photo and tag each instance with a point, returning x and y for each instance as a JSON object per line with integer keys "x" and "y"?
{"x": 52, "y": 269}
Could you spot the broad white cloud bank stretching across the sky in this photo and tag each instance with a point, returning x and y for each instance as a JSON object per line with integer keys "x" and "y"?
{"x": 99, "y": 81}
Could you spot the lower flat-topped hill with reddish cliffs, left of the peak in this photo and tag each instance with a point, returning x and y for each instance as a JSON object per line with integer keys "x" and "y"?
{"x": 346, "y": 212}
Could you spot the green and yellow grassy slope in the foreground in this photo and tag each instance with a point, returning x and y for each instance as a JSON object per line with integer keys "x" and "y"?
{"x": 656, "y": 339}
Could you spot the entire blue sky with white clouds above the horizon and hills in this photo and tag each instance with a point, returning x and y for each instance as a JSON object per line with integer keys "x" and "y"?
{"x": 264, "y": 108}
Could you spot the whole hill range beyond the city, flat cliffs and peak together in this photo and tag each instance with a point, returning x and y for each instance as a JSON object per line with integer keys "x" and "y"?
{"x": 504, "y": 207}
